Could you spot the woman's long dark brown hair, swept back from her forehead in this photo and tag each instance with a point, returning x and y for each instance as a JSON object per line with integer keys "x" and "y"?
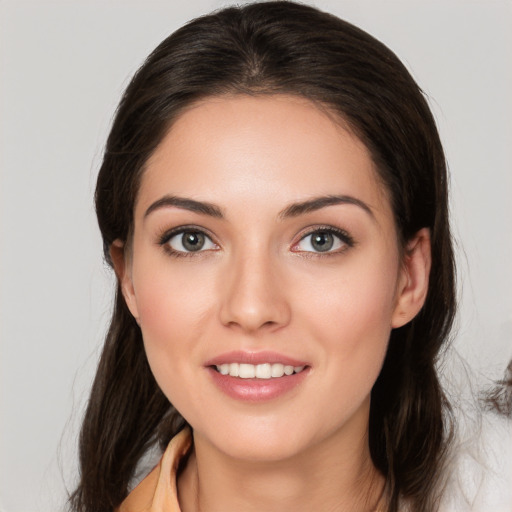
{"x": 280, "y": 48}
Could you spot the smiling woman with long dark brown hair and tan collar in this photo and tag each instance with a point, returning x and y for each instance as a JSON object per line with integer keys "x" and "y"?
{"x": 273, "y": 199}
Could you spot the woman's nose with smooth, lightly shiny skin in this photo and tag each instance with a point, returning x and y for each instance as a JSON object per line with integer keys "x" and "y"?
{"x": 253, "y": 295}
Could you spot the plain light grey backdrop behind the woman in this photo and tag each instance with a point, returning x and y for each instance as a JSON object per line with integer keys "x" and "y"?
{"x": 63, "y": 66}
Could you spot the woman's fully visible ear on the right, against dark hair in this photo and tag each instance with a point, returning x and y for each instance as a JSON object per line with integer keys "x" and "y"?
{"x": 413, "y": 280}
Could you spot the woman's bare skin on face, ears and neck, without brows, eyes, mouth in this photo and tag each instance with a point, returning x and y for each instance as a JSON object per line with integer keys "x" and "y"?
{"x": 260, "y": 285}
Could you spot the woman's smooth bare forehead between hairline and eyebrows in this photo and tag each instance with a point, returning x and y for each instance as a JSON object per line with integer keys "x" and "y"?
{"x": 260, "y": 151}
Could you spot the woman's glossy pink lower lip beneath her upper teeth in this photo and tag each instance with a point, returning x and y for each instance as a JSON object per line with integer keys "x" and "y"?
{"x": 256, "y": 390}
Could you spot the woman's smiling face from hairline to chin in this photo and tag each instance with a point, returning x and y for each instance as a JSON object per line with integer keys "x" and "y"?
{"x": 263, "y": 244}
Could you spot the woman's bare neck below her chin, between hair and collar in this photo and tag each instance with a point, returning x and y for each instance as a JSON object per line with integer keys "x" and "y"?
{"x": 332, "y": 475}
